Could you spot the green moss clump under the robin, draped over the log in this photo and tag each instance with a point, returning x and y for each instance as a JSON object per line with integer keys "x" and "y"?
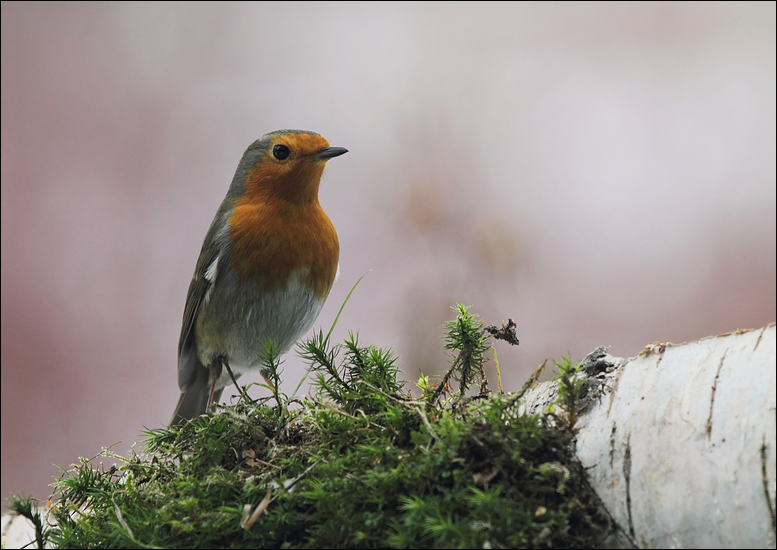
{"x": 359, "y": 464}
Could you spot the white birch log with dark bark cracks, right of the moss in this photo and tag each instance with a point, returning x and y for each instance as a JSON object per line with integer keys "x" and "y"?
{"x": 679, "y": 442}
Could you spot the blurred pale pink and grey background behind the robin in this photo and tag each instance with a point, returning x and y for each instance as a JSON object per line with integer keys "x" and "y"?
{"x": 600, "y": 173}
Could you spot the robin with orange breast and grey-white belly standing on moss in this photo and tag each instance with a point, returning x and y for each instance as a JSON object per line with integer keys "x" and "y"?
{"x": 265, "y": 269}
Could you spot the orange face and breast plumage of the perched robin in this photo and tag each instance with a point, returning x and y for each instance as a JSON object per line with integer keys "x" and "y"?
{"x": 278, "y": 225}
